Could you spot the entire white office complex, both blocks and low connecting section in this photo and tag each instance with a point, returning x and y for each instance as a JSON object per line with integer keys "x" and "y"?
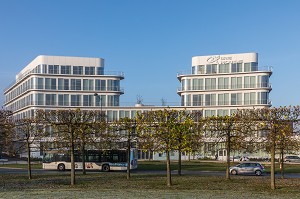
{"x": 216, "y": 85}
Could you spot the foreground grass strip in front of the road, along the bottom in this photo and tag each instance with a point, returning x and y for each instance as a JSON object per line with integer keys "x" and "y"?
{"x": 115, "y": 185}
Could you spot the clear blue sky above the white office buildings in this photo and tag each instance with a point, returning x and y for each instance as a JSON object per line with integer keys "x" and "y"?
{"x": 151, "y": 40}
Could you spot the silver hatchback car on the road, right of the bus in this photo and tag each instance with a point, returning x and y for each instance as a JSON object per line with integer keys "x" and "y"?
{"x": 247, "y": 168}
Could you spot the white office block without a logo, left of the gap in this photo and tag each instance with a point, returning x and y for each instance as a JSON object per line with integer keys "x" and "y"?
{"x": 58, "y": 82}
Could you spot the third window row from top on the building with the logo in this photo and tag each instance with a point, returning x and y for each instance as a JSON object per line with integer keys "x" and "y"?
{"x": 250, "y": 98}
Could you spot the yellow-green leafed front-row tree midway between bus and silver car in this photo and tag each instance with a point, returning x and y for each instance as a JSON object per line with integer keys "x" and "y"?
{"x": 169, "y": 129}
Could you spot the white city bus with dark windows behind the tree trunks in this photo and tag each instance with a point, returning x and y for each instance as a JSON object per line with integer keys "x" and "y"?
{"x": 102, "y": 160}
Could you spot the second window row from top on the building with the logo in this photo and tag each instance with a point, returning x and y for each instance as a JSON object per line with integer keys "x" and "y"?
{"x": 260, "y": 81}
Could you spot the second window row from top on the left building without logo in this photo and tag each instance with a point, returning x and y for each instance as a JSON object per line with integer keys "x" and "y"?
{"x": 64, "y": 84}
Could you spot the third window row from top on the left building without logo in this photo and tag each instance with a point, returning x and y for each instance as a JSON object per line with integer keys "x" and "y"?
{"x": 65, "y": 100}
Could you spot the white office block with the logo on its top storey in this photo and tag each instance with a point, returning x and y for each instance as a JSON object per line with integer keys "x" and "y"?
{"x": 223, "y": 83}
